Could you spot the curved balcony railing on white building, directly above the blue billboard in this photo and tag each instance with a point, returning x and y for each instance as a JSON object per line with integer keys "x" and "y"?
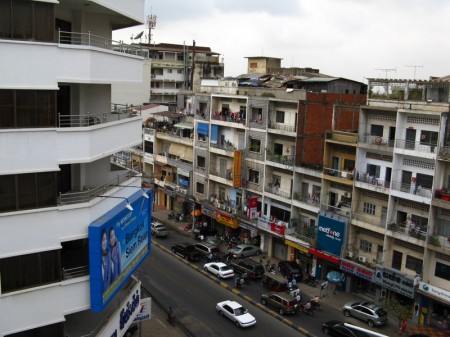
{"x": 89, "y": 193}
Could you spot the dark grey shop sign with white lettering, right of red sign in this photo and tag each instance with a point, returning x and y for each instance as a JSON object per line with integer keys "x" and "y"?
{"x": 395, "y": 280}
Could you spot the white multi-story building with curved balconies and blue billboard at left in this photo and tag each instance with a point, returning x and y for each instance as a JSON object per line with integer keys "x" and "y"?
{"x": 68, "y": 203}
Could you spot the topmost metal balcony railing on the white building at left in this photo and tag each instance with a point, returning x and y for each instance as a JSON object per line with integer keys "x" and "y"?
{"x": 88, "y": 39}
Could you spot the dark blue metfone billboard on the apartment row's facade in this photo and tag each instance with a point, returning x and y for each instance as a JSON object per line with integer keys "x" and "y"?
{"x": 331, "y": 234}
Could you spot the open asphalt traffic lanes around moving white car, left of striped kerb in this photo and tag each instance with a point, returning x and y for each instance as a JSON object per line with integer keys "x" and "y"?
{"x": 193, "y": 297}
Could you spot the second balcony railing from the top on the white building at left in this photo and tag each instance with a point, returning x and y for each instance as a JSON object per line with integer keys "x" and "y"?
{"x": 117, "y": 112}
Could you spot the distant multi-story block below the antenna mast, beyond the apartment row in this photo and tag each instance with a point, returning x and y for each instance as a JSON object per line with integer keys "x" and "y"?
{"x": 178, "y": 68}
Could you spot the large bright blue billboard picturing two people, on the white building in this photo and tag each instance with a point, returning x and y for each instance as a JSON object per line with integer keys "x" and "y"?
{"x": 118, "y": 242}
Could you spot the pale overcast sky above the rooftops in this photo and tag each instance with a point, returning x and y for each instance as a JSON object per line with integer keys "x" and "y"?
{"x": 342, "y": 38}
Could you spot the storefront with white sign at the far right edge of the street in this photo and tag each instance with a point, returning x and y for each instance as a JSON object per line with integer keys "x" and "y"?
{"x": 434, "y": 306}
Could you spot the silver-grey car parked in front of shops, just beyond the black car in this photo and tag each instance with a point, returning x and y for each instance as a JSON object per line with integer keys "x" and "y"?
{"x": 366, "y": 311}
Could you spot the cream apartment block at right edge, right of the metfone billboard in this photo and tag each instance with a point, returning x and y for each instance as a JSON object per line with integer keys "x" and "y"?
{"x": 399, "y": 223}
